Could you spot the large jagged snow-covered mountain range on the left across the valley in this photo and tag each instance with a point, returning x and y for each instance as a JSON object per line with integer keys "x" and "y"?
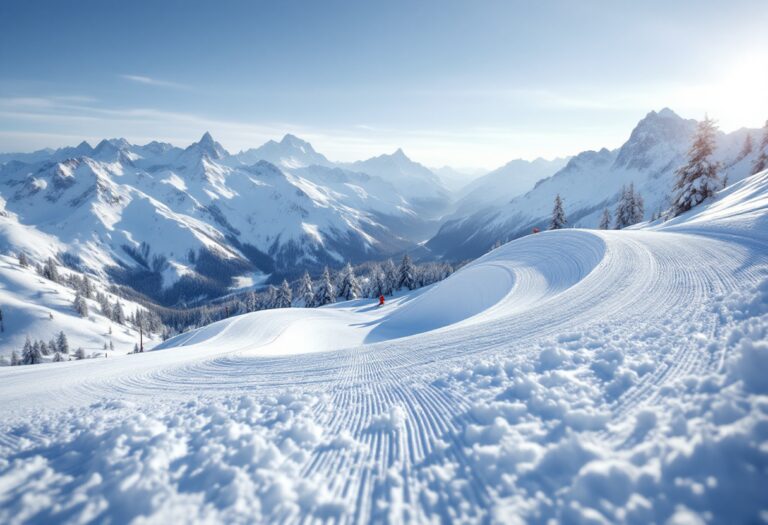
{"x": 179, "y": 225}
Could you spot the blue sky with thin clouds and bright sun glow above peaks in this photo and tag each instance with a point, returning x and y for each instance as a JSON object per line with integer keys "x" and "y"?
{"x": 468, "y": 84}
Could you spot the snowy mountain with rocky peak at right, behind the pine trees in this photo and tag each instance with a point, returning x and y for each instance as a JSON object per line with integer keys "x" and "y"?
{"x": 591, "y": 181}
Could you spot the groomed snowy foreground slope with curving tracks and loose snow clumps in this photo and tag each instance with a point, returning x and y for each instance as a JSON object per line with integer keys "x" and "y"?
{"x": 575, "y": 375}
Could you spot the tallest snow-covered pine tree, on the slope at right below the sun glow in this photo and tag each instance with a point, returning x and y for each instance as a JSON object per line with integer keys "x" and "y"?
{"x": 697, "y": 180}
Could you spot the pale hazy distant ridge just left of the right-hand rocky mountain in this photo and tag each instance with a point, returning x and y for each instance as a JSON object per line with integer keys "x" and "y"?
{"x": 504, "y": 183}
